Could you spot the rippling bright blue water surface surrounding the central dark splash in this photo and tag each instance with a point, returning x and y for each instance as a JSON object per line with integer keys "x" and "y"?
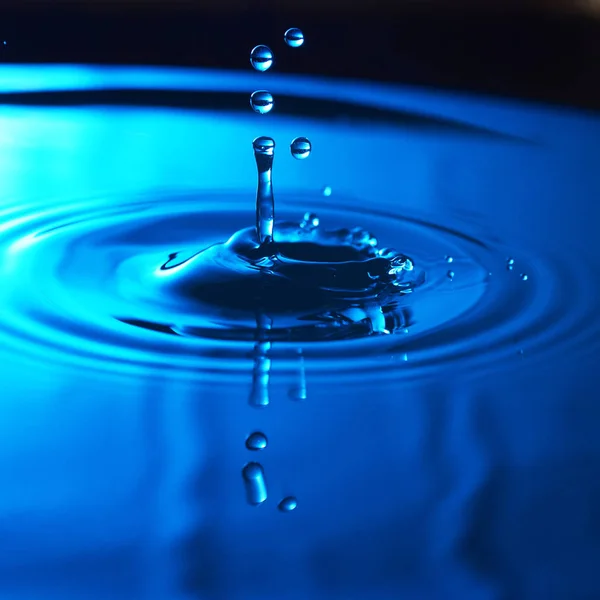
{"x": 455, "y": 457}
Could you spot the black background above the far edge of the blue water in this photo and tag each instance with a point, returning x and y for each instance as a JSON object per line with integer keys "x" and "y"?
{"x": 544, "y": 50}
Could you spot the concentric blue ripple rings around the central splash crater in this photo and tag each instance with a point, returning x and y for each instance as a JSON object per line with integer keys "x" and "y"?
{"x": 74, "y": 289}
